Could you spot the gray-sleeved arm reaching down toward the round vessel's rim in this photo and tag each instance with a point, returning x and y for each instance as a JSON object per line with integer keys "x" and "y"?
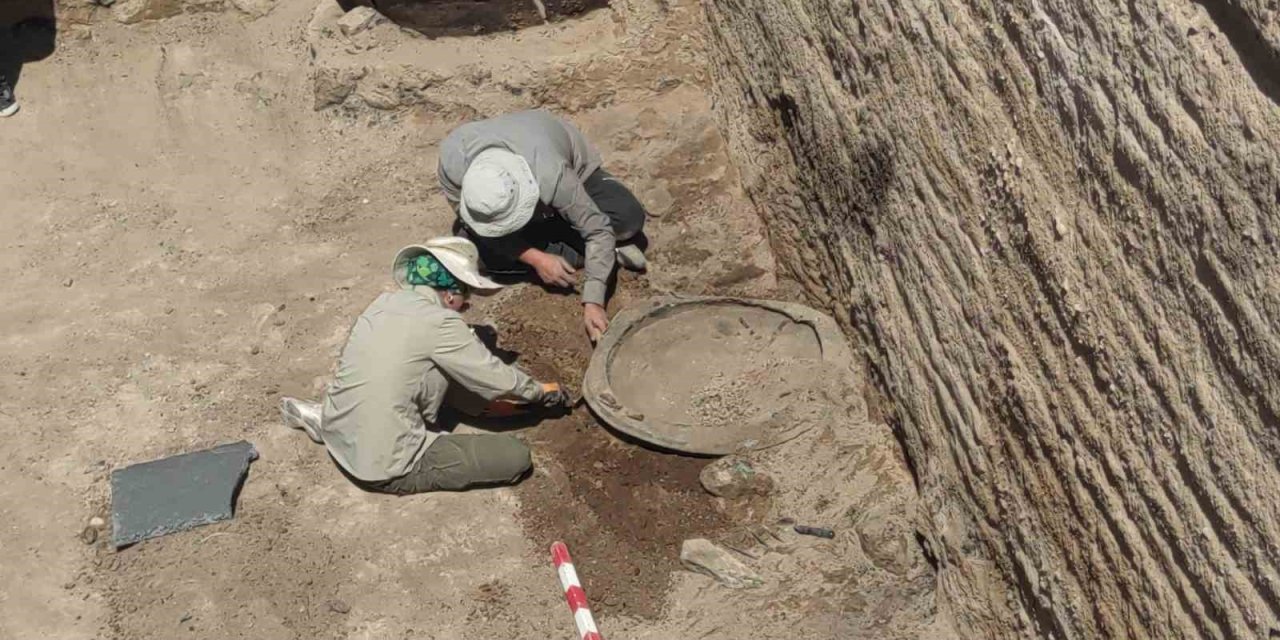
{"x": 573, "y": 203}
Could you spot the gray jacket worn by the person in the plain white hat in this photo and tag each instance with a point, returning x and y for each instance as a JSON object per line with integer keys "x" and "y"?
{"x": 561, "y": 159}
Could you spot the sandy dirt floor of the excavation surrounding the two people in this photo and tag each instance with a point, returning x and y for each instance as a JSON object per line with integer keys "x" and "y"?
{"x": 198, "y": 209}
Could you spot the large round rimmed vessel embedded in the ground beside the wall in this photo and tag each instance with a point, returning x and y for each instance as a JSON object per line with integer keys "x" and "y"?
{"x": 712, "y": 377}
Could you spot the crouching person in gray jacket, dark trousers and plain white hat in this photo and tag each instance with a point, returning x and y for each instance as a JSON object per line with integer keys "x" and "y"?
{"x": 532, "y": 193}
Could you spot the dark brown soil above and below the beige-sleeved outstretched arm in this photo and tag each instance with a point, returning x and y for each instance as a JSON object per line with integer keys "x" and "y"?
{"x": 624, "y": 510}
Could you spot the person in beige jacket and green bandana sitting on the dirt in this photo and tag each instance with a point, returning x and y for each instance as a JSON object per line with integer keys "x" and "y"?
{"x": 409, "y": 354}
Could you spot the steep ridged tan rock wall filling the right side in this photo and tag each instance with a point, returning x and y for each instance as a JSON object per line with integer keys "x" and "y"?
{"x": 1052, "y": 228}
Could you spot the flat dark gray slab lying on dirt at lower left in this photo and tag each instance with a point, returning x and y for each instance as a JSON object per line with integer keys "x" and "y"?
{"x": 177, "y": 493}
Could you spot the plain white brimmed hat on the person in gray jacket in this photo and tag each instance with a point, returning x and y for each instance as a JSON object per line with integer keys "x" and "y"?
{"x": 500, "y": 194}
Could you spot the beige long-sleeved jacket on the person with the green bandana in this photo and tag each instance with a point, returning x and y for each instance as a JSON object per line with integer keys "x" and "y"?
{"x": 401, "y": 358}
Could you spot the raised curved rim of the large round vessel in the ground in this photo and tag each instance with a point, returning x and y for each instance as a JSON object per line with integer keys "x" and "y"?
{"x": 688, "y": 438}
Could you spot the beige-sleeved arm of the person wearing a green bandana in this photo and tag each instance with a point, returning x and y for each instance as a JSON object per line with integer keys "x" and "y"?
{"x": 468, "y": 362}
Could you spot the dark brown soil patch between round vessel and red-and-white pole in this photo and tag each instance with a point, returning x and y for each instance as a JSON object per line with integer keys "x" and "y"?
{"x": 623, "y": 510}
